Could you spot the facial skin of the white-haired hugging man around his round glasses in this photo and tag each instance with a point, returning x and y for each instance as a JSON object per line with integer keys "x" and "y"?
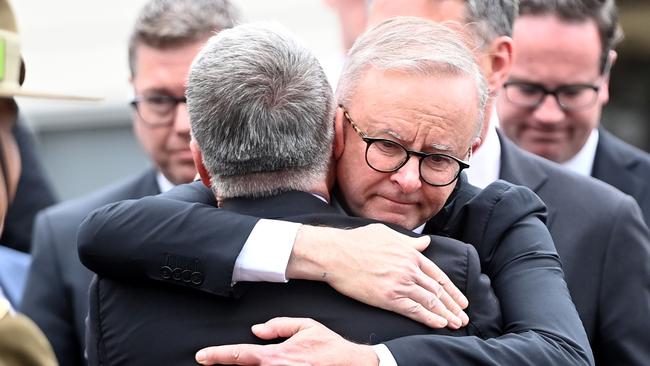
{"x": 430, "y": 114}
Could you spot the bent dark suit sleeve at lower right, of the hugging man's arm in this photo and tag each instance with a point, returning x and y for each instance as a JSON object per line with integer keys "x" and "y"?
{"x": 541, "y": 324}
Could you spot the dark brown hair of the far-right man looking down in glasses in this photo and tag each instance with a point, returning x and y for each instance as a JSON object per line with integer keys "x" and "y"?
{"x": 602, "y": 12}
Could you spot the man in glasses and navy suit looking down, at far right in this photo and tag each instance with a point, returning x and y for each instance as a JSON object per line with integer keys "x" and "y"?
{"x": 559, "y": 84}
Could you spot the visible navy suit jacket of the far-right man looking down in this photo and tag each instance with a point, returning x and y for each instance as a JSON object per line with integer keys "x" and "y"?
{"x": 625, "y": 167}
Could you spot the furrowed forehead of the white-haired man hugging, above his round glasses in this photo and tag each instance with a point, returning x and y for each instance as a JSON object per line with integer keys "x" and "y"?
{"x": 426, "y": 110}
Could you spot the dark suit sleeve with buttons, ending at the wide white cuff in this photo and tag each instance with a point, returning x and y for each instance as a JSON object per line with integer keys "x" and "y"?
{"x": 152, "y": 238}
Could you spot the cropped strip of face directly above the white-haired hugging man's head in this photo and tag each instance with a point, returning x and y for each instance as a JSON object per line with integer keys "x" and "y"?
{"x": 435, "y": 10}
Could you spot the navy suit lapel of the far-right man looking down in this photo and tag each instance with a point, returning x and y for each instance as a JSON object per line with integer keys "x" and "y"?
{"x": 613, "y": 165}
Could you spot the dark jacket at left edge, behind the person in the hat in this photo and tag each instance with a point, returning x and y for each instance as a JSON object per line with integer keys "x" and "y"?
{"x": 33, "y": 194}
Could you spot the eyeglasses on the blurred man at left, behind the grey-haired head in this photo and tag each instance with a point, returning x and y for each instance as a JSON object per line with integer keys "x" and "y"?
{"x": 157, "y": 110}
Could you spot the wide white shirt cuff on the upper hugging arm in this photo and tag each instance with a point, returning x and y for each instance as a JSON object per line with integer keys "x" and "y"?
{"x": 265, "y": 255}
